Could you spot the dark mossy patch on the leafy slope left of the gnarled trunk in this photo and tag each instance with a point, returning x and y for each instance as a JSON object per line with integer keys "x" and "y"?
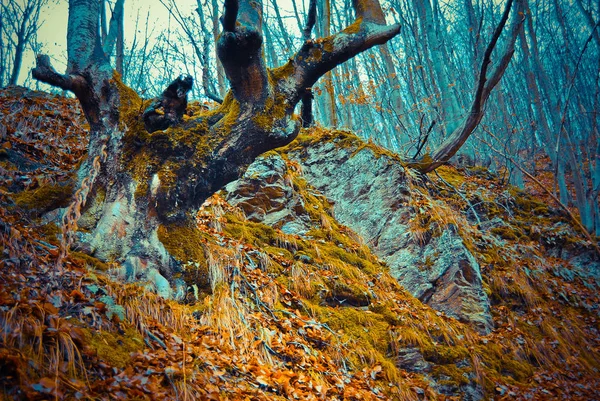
{"x": 45, "y": 198}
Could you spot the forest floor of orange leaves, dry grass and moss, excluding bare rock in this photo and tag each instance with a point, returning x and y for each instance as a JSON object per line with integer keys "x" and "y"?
{"x": 69, "y": 330}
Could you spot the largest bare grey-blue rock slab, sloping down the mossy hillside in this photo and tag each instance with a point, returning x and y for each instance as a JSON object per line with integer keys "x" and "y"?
{"x": 371, "y": 196}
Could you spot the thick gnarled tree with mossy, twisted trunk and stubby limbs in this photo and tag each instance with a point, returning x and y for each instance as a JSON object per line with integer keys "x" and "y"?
{"x": 140, "y": 185}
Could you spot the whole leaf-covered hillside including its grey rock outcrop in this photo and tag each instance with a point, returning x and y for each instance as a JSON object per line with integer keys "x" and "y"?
{"x": 329, "y": 271}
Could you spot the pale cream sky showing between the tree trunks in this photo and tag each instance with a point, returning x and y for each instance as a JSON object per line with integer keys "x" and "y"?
{"x": 53, "y": 32}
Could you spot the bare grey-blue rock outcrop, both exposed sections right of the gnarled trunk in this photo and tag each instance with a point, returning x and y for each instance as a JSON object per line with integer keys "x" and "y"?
{"x": 371, "y": 196}
